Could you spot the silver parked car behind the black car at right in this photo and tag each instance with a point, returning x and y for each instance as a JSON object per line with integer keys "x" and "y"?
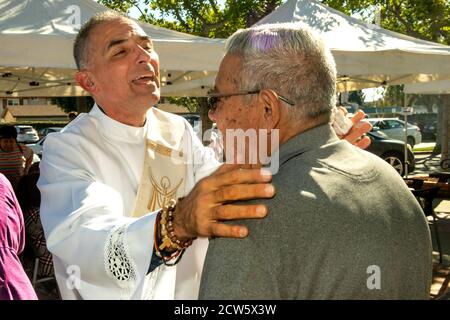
{"x": 395, "y": 129}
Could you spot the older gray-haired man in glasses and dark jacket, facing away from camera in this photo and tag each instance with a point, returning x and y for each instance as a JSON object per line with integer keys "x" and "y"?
{"x": 343, "y": 224}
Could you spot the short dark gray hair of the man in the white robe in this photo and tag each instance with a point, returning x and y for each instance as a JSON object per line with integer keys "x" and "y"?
{"x": 81, "y": 43}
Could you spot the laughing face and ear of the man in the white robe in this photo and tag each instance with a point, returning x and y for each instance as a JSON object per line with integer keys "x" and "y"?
{"x": 122, "y": 69}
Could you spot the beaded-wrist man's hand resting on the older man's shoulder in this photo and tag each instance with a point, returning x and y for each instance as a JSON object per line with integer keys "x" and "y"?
{"x": 211, "y": 202}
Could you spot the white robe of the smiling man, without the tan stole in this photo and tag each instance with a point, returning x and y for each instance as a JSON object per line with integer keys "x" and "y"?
{"x": 90, "y": 173}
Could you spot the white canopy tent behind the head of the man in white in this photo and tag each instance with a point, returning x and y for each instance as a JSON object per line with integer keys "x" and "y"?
{"x": 36, "y": 38}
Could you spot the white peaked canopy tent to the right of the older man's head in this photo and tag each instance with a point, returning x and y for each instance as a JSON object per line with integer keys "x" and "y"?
{"x": 367, "y": 55}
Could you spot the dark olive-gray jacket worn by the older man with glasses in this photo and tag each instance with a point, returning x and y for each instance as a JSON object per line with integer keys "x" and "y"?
{"x": 343, "y": 225}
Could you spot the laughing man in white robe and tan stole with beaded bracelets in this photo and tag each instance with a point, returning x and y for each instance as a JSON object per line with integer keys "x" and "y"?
{"x": 107, "y": 179}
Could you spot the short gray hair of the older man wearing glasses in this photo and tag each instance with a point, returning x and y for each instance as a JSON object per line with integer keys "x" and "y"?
{"x": 289, "y": 59}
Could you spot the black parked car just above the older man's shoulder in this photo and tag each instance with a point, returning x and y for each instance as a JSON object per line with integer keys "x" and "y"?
{"x": 392, "y": 151}
